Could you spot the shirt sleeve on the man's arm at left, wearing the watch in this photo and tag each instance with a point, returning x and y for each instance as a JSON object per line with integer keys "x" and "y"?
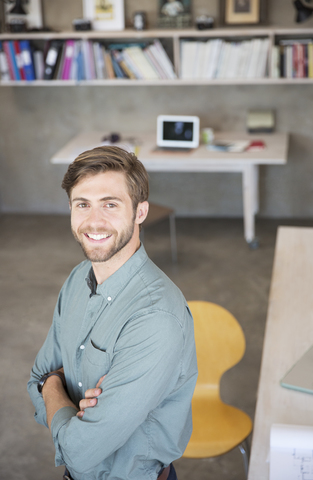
{"x": 48, "y": 359}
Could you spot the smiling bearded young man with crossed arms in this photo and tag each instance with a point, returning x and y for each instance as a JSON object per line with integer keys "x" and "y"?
{"x": 115, "y": 376}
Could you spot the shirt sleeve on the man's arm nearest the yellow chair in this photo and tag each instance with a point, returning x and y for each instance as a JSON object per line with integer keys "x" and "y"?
{"x": 145, "y": 369}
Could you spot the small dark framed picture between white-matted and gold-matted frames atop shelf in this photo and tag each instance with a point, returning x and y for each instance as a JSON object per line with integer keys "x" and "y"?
{"x": 174, "y": 13}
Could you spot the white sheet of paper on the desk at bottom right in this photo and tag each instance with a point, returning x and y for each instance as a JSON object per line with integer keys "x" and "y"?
{"x": 291, "y": 452}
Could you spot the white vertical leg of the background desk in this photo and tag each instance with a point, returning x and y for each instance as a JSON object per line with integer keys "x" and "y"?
{"x": 250, "y": 201}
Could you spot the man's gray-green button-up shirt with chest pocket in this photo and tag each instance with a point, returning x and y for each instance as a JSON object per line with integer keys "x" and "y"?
{"x": 137, "y": 329}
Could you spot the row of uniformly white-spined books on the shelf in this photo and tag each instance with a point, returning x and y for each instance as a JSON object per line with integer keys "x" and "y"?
{"x": 218, "y": 58}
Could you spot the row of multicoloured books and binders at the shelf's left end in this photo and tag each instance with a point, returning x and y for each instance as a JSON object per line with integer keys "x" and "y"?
{"x": 84, "y": 60}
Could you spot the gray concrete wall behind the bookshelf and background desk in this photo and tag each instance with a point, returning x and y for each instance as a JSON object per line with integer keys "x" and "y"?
{"x": 36, "y": 122}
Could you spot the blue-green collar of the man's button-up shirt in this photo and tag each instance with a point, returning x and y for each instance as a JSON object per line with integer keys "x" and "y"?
{"x": 116, "y": 282}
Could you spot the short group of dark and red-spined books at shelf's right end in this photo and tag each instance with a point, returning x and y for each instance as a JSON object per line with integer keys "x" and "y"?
{"x": 293, "y": 59}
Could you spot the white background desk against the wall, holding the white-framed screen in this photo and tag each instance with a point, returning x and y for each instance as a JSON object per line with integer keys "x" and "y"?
{"x": 200, "y": 160}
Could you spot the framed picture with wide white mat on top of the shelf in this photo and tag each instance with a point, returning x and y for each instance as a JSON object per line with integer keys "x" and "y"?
{"x": 105, "y": 14}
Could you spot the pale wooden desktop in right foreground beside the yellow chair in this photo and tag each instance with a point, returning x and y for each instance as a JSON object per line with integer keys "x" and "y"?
{"x": 289, "y": 333}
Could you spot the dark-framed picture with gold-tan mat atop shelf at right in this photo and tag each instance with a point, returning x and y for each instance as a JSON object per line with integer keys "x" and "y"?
{"x": 243, "y": 12}
